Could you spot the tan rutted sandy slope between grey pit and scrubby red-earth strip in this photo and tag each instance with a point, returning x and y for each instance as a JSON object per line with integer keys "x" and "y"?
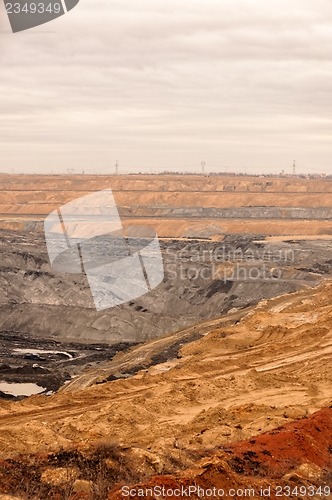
{"x": 250, "y": 372}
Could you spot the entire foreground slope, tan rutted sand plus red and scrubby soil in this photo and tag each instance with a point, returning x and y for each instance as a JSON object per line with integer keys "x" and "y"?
{"x": 222, "y": 398}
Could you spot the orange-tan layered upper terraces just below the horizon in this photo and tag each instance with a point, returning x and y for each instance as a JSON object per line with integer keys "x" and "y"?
{"x": 176, "y": 204}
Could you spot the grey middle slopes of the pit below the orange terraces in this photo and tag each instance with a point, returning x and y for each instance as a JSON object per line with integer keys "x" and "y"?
{"x": 203, "y": 279}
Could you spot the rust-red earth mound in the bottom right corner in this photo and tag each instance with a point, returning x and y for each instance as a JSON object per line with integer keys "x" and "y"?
{"x": 292, "y": 461}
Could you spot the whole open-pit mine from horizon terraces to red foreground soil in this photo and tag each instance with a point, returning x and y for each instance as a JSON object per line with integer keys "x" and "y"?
{"x": 219, "y": 377}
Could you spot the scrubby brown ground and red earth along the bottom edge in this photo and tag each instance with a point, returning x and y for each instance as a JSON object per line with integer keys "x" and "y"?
{"x": 291, "y": 461}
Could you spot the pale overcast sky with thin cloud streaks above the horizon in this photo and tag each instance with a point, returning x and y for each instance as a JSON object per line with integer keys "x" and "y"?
{"x": 243, "y": 85}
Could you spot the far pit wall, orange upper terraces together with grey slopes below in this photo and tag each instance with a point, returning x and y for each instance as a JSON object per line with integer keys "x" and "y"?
{"x": 193, "y": 215}
